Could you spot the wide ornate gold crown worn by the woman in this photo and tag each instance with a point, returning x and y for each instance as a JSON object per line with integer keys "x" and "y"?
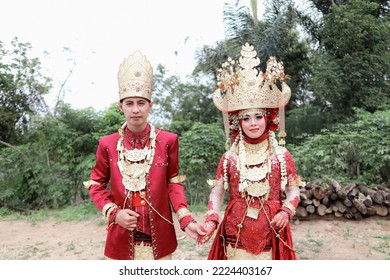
{"x": 242, "y": 86}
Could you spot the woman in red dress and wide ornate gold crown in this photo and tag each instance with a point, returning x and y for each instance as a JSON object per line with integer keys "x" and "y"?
{"x": 257, "y": 172}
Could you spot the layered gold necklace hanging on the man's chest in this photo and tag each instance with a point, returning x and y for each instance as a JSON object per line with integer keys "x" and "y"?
{"x": 135, "y": 164}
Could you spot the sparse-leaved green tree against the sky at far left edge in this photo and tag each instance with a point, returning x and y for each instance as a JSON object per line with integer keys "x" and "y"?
{"x": 22, "y": 87}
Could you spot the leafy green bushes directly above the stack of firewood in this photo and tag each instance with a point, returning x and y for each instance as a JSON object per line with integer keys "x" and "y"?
{"x": 357, "y": 151}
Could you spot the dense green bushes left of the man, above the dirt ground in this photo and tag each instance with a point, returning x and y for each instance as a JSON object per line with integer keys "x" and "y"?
{"x": 50, "y": 169}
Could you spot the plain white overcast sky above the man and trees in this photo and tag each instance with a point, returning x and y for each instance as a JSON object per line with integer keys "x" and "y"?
{"x": 100, "y": 34}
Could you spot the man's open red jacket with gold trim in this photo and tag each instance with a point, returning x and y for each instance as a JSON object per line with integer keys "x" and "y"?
{"x": 160, "y": 193}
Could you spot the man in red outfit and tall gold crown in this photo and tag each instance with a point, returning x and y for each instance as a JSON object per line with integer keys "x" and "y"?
{"x": 135, "y": 181}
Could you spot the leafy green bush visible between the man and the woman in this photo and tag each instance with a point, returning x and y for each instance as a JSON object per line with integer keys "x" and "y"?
{"x": 200, "y": 151}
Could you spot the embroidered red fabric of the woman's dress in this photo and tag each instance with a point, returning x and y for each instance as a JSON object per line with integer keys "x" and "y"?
{"x": 255, "y": 234}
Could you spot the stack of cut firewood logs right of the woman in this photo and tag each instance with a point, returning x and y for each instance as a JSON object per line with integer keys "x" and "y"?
{"x": 353, "y": 201}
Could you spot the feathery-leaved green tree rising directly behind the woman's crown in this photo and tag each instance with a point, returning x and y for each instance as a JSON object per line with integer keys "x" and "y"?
{"x": 275, "y": 35}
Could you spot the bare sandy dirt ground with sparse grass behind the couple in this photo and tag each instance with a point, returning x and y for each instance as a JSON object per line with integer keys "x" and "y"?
{"x": 314, "y": 239}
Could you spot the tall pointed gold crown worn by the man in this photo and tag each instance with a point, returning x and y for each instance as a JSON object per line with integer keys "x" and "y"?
{"x": 135, "y": 77}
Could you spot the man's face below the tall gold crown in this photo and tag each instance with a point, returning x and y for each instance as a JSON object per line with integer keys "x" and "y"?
{"x": 136, "y": 111}
